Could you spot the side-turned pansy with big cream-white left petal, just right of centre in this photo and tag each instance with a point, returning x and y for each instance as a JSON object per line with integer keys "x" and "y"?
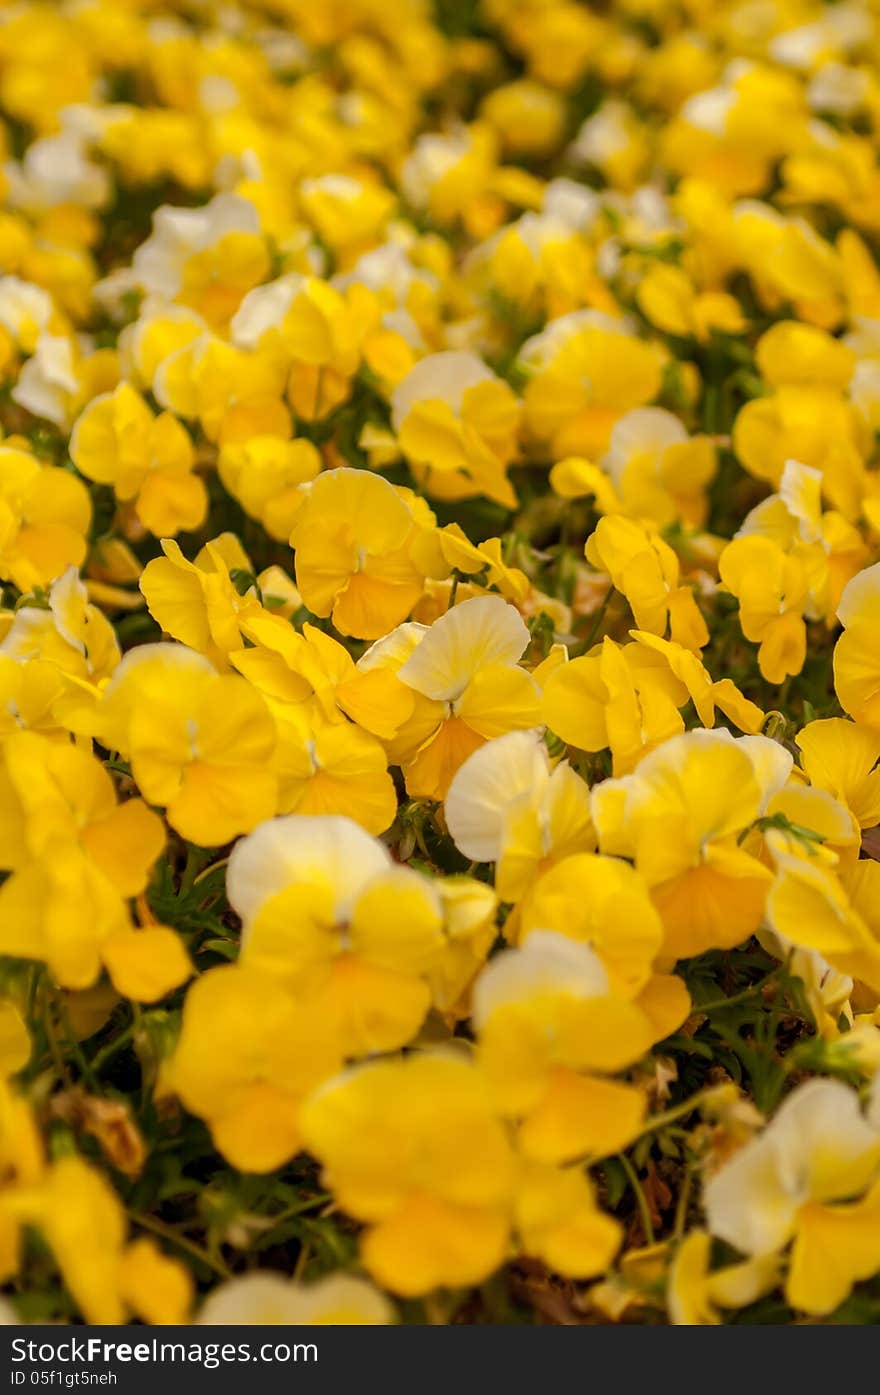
{"x": 507, "y": 806}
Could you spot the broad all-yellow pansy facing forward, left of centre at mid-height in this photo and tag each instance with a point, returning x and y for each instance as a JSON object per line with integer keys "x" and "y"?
{"x": 199, "y": 741}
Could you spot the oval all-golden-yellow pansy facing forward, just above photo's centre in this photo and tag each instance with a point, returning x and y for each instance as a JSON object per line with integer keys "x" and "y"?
{"x": 355, "y": 556}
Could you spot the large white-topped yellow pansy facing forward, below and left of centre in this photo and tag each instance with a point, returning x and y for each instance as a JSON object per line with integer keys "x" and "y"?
{"x": 326, "y": 910}
